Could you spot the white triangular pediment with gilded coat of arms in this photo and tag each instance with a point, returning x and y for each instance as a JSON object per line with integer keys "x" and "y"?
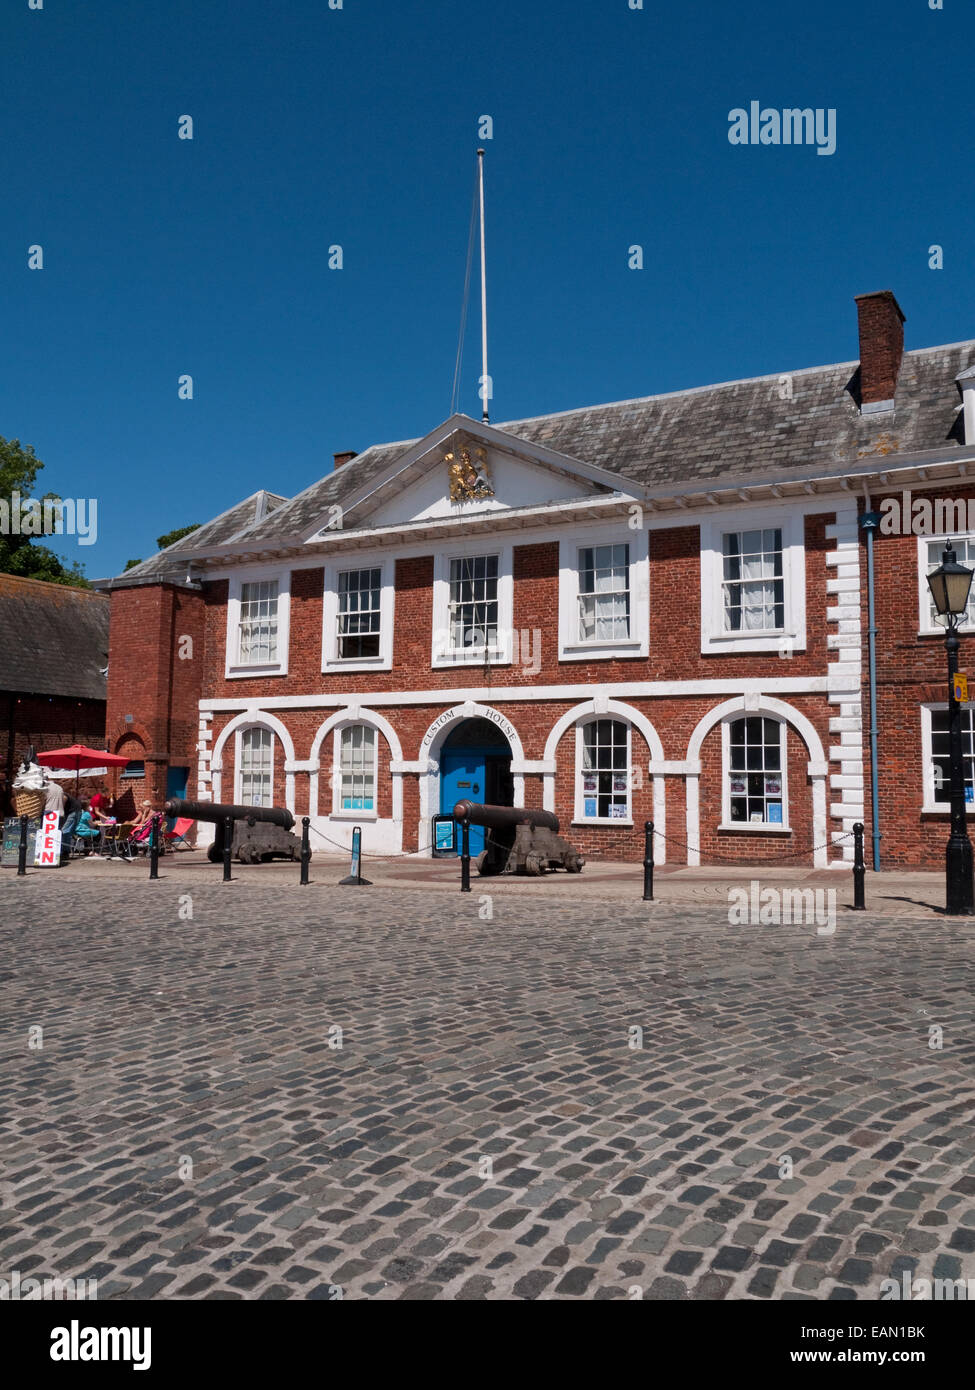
{"x": 511, "y": 475}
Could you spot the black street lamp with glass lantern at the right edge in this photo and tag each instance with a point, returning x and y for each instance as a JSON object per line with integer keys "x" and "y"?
{"x": 949, "y": 587}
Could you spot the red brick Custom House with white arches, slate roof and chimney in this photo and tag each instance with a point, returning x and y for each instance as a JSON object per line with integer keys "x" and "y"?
{"x": 654, "y": 610}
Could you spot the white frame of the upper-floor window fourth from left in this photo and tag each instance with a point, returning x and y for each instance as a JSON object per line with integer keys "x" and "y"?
{"x": 638, "y": 644}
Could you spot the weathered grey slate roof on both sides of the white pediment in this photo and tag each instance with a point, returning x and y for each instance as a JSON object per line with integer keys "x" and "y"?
{"x": 739, "y": 430}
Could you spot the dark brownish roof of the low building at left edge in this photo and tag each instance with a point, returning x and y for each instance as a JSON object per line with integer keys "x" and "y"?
{"x": 55, "y": 639}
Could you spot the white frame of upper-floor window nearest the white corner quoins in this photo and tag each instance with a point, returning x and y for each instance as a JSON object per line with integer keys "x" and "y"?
{"x": 792, "y": 635}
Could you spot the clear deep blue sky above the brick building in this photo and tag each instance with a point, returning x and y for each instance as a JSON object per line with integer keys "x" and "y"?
{"x": 360, "y": 127}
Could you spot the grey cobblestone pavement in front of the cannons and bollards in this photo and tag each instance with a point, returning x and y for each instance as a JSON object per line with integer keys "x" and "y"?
{"x": 487, "y": 1128}
